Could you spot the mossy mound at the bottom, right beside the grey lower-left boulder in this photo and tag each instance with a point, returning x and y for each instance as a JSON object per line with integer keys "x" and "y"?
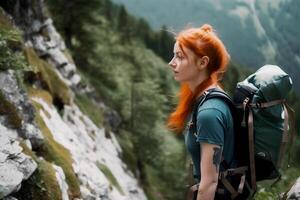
{"x": 42, "y": 185}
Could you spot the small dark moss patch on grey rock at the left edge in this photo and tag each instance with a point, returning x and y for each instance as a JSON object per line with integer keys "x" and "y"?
{"x": 8, "y": 109}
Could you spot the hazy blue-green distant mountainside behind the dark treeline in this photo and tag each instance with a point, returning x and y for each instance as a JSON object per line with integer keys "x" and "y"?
{"x": 255, "y": 32}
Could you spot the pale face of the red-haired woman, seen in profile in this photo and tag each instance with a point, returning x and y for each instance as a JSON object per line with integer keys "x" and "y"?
{"x": 184, "y": 65}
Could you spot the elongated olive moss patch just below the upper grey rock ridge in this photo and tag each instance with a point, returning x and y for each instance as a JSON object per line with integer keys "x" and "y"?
{"x": 49, "y": 77}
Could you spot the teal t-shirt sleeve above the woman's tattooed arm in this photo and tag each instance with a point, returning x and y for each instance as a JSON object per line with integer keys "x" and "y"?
{"x": 210, "y": 126}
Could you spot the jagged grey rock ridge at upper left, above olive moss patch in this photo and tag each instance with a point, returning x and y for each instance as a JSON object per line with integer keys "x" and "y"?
{"x": 40, "y": 33}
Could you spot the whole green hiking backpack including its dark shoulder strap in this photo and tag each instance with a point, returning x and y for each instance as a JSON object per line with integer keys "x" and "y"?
{"x": 262, "y": 122}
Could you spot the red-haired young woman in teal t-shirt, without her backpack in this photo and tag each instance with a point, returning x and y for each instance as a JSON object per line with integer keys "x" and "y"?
{"x": 200, "y": 59}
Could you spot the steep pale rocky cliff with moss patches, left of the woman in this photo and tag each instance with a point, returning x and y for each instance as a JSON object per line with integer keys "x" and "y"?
{"x": 49, "y": 149}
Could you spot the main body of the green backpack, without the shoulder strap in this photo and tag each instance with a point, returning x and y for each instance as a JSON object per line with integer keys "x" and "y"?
{"x": 267, "y": 119}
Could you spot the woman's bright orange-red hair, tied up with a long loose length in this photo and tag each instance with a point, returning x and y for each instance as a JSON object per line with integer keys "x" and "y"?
{"x": 202, "y": 41}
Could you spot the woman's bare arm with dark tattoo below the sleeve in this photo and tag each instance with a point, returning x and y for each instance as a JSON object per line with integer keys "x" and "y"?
{"x": 211, "y": 156}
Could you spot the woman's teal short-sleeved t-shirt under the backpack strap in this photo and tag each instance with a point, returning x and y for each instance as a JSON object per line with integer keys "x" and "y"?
{"x": 214, "y": 126}
